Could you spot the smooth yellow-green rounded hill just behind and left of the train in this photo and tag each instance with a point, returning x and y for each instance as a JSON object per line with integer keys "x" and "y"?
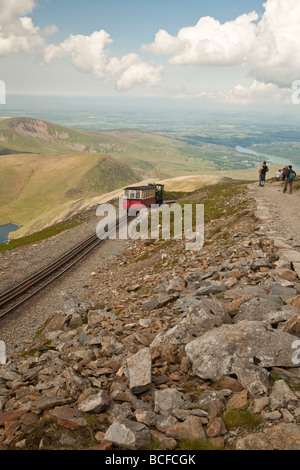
{"x": 36, "y": 188}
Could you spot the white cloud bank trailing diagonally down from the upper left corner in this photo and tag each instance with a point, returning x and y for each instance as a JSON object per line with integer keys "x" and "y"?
{"x": 88, "y": 54}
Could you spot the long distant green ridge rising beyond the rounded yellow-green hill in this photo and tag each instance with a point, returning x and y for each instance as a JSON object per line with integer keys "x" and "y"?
{"x": 150, "y": 153}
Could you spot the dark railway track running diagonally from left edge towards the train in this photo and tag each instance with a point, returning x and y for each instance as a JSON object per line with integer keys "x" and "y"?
{"x": 25, "y": 290}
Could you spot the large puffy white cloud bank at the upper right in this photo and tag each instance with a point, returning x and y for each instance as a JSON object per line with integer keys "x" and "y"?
{"x": 269, "y": 47}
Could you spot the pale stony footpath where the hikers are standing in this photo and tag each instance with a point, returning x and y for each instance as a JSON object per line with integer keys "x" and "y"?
{"x": 279, "y": 212}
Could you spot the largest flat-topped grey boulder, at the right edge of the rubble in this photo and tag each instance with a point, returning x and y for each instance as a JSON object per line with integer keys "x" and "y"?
{"x": 223, "y": 351}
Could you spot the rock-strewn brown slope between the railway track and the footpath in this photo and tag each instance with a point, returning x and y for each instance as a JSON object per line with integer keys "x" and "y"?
{"x": 168, "y": 348}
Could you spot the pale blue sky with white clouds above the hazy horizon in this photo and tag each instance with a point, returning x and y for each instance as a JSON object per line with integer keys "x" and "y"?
{"x": 240, "y": 52}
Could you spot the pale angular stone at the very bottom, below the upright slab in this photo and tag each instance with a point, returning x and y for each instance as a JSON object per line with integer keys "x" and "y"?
{"x": 128, "y": 434}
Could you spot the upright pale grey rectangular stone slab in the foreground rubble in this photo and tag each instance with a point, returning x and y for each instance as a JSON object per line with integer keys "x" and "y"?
{"x": 140, "y": 371}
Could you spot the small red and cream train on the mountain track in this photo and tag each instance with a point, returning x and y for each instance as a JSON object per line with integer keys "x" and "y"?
{"x": 136, "y": 197}
